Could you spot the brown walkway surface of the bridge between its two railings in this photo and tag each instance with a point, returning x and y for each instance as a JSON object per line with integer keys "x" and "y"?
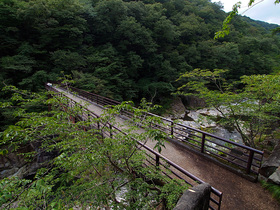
{"x": 238, "y": 193}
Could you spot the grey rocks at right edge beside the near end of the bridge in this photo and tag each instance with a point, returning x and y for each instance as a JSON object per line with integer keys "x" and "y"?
{"x": 270, "y": 168}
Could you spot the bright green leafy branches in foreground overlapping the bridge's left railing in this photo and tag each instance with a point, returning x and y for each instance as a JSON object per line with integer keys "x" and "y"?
{"x": 88, "y": 169}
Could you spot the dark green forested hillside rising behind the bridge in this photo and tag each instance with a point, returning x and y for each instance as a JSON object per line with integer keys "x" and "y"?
{"x": 126, "y": 49}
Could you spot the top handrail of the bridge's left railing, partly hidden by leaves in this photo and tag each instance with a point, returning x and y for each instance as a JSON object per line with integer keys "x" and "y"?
{"x": 217, "y": 193}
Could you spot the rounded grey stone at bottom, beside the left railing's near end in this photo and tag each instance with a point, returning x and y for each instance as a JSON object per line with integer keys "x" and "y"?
{"x": 196, "y": 198}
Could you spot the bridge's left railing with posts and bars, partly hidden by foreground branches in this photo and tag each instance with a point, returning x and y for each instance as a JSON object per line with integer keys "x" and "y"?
{"x": 167, "y": 167}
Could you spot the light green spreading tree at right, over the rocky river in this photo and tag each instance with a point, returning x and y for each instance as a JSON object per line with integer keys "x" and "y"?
{"x": 253, "y": 110}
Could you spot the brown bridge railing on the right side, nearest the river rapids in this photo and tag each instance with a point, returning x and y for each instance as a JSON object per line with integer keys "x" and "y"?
{"x": 226, "y": 151}
